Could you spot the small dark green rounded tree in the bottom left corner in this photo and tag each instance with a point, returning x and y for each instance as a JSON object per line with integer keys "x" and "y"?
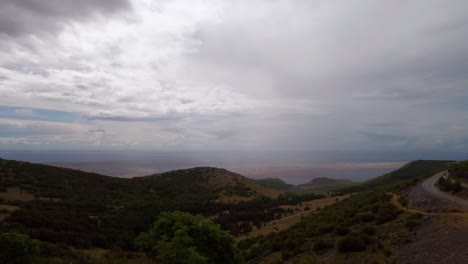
{"x": 18, "y": 249}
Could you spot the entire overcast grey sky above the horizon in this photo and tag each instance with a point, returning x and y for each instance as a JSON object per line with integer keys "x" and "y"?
{"x": 234, "y": 75}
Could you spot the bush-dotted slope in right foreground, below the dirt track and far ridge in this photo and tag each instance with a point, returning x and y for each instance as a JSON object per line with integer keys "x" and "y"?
{"x": 366, "y": 222}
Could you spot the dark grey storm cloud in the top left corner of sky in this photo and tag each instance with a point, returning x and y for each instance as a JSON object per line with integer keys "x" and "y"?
{"x": 24, "y": 17}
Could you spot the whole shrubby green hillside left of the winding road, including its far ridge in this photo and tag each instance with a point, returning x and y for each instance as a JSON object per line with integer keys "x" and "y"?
{"x": 369, "y": 221}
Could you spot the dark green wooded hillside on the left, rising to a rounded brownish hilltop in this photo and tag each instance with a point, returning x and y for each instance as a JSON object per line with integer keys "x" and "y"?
{"x": 83, "y": 209}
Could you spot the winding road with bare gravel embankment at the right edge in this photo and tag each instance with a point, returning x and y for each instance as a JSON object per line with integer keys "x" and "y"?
{"x": 442, "y": 237}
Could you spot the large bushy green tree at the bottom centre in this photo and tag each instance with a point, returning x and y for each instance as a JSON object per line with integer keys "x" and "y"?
{"x": 182, "y": 238}
